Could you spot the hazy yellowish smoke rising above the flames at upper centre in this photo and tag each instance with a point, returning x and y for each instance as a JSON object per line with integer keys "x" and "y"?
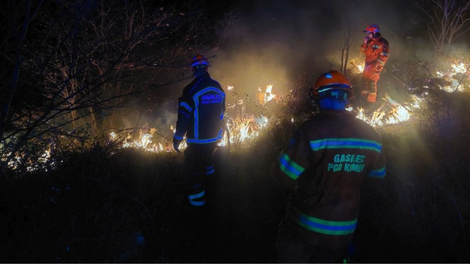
{"x": 276, "y": 41}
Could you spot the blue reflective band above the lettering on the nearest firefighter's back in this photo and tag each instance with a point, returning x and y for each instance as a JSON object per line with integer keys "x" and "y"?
{"x": 345, "y": 143}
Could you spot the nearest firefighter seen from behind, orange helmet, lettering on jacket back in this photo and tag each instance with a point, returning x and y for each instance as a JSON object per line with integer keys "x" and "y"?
{"x": 325, "y": 163}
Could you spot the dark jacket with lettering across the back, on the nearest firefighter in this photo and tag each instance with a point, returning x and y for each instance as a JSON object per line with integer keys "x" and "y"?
{"x": 329, "y": 157}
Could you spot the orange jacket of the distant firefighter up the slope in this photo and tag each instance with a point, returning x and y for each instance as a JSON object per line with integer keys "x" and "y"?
{"x": 377, "y": 51}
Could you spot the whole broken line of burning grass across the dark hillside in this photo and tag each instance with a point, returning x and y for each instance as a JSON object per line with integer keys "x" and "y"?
{"x": 247, "y": 116}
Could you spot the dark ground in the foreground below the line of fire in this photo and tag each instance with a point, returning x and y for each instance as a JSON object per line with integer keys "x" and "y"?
{"x": 130, "y": 207}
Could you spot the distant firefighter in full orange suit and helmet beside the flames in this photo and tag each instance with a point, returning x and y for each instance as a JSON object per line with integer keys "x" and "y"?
{"x": 377, "y": 50}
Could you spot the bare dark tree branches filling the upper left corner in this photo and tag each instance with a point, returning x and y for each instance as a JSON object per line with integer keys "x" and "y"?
{"x": 84, "y": 60}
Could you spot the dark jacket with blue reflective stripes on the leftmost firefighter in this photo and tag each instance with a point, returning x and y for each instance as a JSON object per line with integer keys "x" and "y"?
{"x": 201, "y": 111}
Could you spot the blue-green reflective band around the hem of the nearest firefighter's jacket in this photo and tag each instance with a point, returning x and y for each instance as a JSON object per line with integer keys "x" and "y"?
{"x": 322, "y": 226}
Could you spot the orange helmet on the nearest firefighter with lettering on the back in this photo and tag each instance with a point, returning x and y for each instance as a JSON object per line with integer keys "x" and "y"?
{"x": 328, "y": 84}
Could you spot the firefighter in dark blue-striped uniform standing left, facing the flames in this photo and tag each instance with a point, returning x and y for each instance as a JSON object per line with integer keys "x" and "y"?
{"x": 200, "y": 118}
